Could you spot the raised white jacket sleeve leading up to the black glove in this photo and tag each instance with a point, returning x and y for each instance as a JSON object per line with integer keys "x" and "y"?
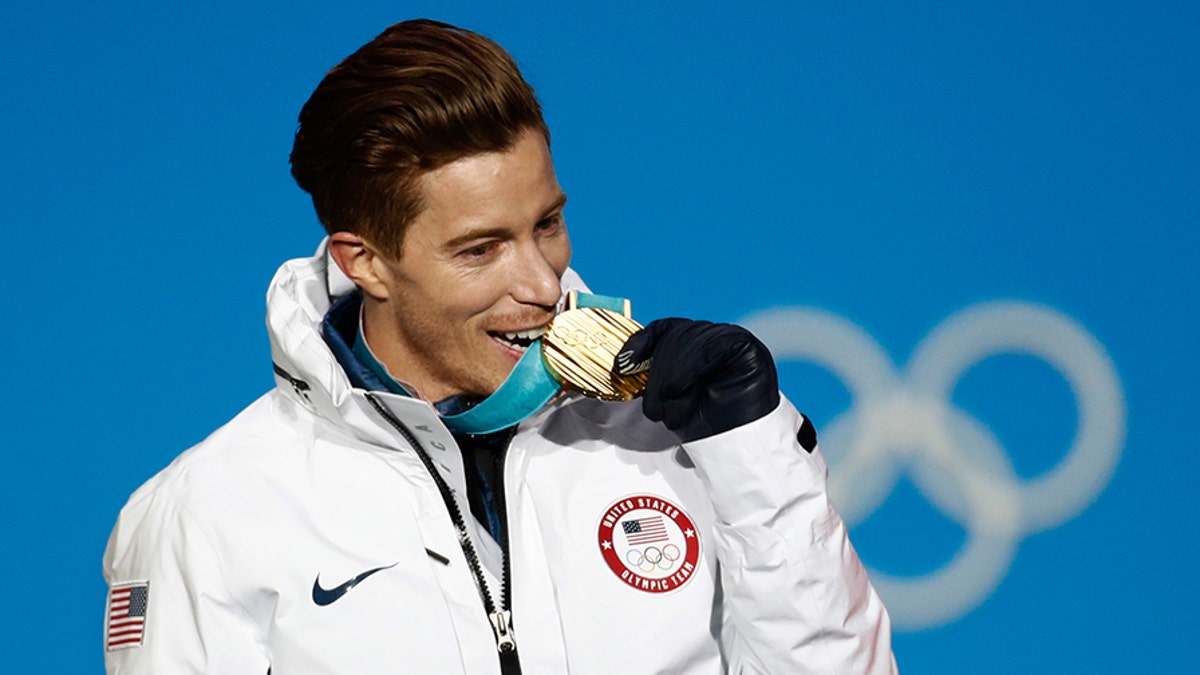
{"x": 796, "y": 596}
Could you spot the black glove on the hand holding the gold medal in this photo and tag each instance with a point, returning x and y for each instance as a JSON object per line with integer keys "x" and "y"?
{"x": 706, "y": 378}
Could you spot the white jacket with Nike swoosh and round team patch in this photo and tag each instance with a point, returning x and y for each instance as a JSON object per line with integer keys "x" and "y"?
{"x": 315, "y": 486}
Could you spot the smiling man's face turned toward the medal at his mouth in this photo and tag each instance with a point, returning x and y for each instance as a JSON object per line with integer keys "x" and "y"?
{"x": 478, "y": 278}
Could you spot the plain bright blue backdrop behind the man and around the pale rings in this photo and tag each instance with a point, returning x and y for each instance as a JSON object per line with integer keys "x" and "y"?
{"x": 892, "y": 164}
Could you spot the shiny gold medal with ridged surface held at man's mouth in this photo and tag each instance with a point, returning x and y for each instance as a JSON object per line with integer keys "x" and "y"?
{"x": 581, "y": 347}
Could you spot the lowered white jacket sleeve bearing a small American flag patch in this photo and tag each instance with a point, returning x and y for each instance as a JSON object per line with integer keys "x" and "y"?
{"x": 193, "y": 624}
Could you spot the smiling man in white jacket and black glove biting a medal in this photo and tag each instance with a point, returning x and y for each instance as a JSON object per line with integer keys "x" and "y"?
{"x": 401, "y": 504}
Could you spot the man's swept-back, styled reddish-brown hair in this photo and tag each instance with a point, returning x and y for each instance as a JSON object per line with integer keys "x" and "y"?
{"x": 419, "y": 97}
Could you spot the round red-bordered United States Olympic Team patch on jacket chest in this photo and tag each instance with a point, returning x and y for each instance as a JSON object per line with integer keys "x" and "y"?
{"x": 650, "y": 543}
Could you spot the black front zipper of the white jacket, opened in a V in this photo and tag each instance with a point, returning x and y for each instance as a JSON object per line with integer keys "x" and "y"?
{"x": 501, "y": 618}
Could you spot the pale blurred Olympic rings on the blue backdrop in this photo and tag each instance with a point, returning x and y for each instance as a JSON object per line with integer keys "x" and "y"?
{"x": 904, "y": 425}
